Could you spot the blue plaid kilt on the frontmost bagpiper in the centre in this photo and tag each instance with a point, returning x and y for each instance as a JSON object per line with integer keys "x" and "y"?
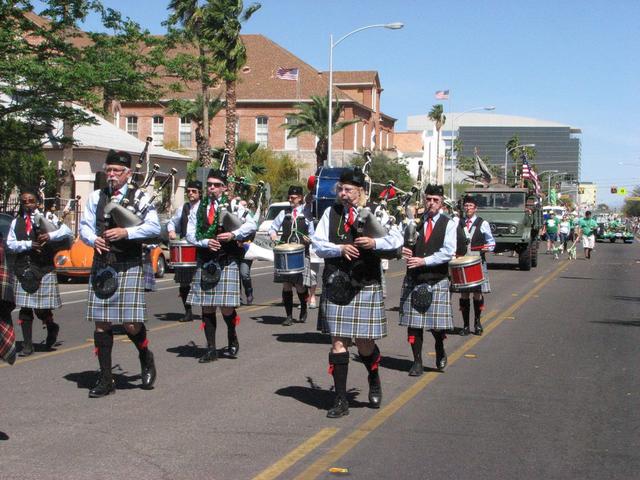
{"x": 364, "y": 317}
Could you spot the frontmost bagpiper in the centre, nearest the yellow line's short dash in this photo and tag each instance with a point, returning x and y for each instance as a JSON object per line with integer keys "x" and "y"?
{"x": 348, "y": 312}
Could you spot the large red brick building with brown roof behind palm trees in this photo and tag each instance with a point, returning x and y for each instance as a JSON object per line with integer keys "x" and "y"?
{"x": 265, "y": 102}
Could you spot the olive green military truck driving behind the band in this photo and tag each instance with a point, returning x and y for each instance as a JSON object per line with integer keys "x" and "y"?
{"x": 515, "y": 217}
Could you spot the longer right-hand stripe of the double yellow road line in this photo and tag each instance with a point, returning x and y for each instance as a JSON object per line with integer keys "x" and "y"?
{"x": 322, "y": 464}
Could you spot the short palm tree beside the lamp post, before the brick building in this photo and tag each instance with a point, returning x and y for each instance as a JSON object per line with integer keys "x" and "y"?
{"x": 312, "y": 118}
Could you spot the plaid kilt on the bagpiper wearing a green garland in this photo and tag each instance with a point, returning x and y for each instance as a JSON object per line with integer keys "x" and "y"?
{"x": 226, "y": 293}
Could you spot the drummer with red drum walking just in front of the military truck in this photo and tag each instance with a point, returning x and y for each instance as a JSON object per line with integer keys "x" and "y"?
{"x": 479, "y": 240}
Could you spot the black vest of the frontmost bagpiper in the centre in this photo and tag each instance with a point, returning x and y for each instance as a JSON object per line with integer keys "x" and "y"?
{"x": 366, "y": 268}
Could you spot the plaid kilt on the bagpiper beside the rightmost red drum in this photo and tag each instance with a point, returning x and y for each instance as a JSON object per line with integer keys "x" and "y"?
{"x": 438, "y": 317}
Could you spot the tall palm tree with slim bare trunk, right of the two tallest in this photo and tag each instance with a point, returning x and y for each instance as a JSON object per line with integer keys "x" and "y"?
{"x": 222, "y": 23}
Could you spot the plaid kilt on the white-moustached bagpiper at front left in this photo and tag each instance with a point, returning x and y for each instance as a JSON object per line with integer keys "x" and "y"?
{"x": 127, "y": 304}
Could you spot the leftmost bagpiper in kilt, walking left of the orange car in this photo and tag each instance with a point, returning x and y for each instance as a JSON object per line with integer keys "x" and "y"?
{"x": 36, "y": 288}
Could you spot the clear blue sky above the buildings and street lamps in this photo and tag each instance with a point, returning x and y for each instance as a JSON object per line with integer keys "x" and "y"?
{"x": 570, "y": 61}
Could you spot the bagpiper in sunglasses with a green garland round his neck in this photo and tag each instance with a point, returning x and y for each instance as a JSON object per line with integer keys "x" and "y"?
{"x": 216, "y": 282}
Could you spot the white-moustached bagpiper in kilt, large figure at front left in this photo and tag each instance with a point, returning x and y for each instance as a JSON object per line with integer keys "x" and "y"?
{"x": 116, "y": 285}
